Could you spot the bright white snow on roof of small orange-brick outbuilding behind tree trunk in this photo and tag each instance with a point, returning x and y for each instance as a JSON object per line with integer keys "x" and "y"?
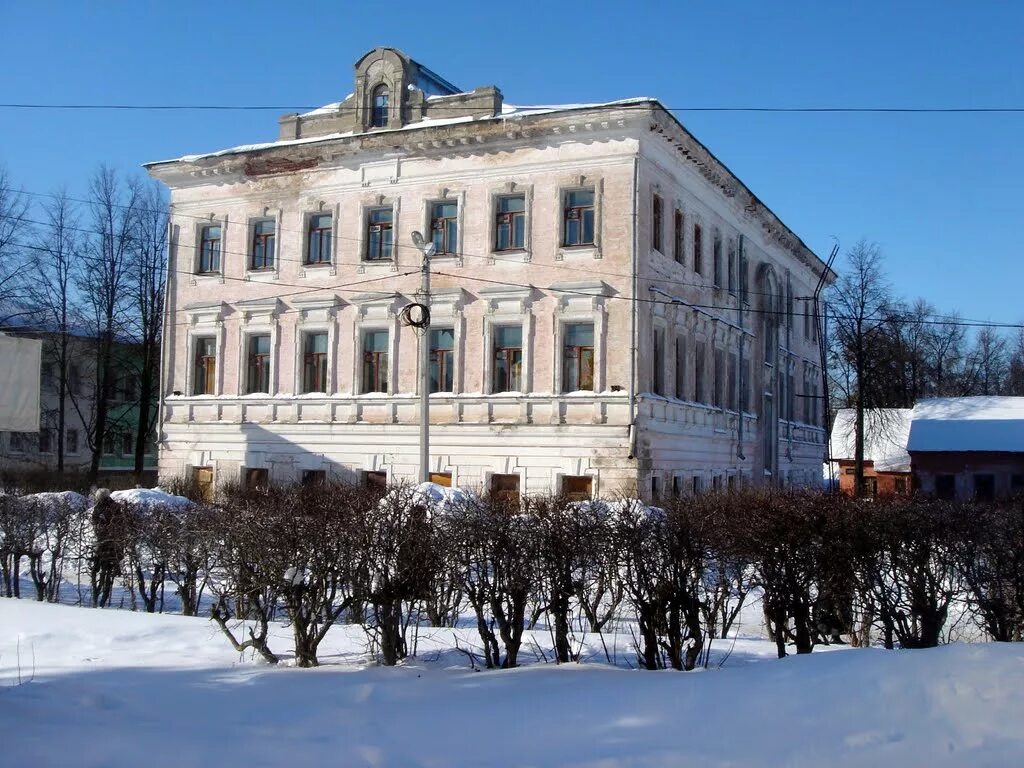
{"x": 886, "y": 432}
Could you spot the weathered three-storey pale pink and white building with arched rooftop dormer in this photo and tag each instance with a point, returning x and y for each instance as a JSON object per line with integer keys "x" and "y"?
{"x": 612, "y": 310}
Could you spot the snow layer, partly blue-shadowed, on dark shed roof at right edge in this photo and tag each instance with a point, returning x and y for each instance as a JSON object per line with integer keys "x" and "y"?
{"x": 988, "y": 423}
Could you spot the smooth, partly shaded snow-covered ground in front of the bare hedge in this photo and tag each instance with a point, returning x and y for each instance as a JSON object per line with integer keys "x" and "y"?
{"x": 117, "y": 689}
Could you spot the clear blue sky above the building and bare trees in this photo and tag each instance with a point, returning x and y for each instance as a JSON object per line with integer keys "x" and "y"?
{"x": 942, "y": 194}
